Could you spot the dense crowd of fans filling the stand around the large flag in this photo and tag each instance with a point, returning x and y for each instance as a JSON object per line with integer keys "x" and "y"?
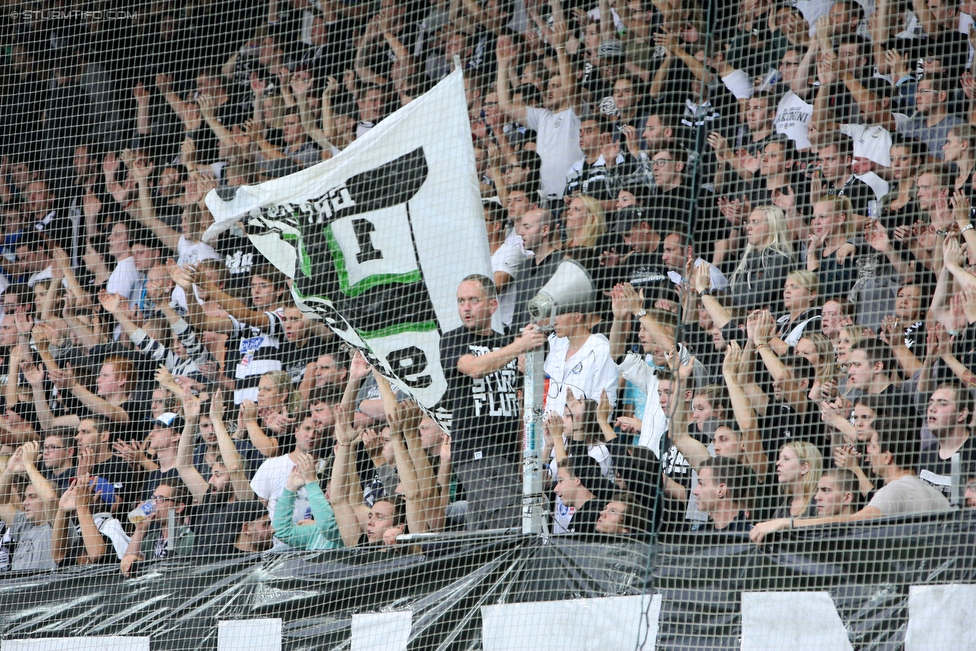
{"x": 773, "y": 200}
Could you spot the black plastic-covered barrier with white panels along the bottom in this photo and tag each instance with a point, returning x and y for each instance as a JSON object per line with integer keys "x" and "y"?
{"x": 896, "y": 584}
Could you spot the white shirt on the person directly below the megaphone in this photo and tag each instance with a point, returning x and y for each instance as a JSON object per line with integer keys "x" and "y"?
{"x": 588, "y": 373}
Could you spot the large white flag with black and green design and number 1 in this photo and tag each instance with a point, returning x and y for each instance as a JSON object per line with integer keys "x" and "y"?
{"x": 378, "y": 238}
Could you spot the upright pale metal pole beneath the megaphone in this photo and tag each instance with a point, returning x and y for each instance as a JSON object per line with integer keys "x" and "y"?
{"x": 533, "y": 502}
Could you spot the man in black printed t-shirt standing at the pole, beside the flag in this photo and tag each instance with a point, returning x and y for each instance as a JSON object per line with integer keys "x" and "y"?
{"x": 482, "y": 373}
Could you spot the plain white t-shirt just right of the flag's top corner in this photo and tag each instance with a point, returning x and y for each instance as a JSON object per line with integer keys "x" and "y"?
{"x": 557, "y": 143}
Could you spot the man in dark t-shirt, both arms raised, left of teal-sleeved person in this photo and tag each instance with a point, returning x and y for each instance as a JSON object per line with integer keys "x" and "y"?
{"x": 228, "y": 520}
